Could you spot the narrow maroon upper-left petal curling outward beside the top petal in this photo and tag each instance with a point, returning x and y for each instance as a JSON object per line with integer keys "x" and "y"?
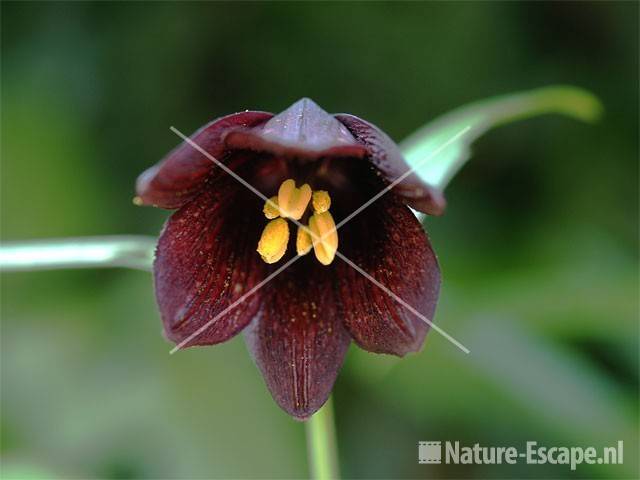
{"x": 180, "y": 176}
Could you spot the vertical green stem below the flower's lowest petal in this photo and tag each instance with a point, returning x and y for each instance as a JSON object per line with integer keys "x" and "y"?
{"x": 321, "y": 444}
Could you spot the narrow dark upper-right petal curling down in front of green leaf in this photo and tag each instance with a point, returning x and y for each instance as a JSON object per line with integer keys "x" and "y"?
{"x": 387, "y": 158}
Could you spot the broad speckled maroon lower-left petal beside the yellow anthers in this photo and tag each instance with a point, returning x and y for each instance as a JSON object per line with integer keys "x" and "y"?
{"x": 205, "y": 261}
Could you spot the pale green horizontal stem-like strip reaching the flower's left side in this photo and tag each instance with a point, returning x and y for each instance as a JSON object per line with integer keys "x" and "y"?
{"x": 131, "y": 251}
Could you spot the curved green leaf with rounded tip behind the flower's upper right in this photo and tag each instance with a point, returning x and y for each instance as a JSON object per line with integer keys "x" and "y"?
{"x": 436, "y": 165}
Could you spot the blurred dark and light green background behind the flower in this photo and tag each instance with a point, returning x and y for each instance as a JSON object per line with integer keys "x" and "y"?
{"x": 539, "y": 247}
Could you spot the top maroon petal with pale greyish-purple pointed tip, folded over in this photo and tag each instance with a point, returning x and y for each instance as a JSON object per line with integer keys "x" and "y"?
{"x": 304, "y": 129}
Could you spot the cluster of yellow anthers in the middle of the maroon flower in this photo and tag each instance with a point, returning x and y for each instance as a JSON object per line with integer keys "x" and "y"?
{"x": 291, "y": 202}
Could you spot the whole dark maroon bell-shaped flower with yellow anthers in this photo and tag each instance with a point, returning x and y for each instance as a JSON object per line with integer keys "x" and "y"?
{"x": 315, "y": 169}
